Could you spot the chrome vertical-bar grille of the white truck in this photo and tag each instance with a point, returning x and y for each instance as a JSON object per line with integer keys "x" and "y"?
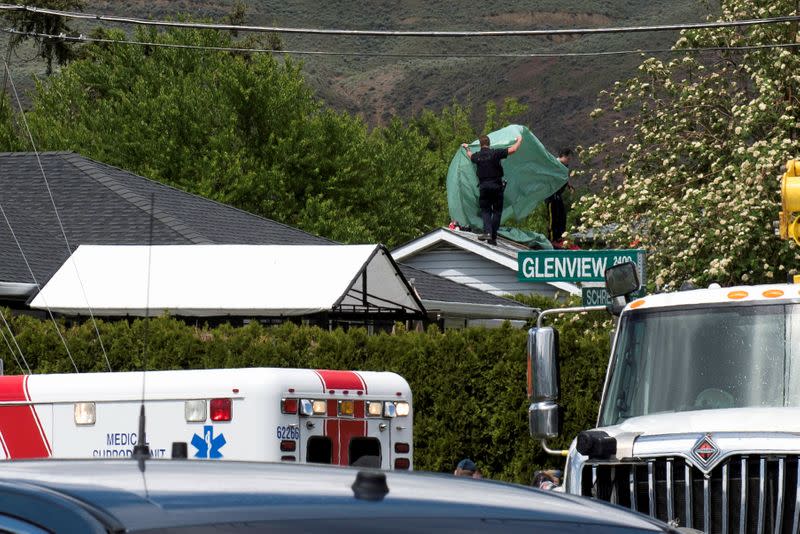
{"x": 743, "y": 494}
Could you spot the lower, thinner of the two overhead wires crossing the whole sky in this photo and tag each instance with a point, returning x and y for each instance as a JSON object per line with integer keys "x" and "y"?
{"x": 85, "y": 39}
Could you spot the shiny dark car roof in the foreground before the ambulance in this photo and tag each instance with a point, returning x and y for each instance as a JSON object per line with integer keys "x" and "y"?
{"x": 178, "y": 494}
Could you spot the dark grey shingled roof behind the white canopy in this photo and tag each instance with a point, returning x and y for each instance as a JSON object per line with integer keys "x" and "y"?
{"x": 100, "y": 204}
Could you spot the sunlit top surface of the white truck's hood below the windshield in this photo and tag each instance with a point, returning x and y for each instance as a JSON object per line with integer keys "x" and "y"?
{"x": 707, "y": 421}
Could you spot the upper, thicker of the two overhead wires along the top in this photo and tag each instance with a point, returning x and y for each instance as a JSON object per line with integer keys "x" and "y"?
{"x": 401, "y": 33}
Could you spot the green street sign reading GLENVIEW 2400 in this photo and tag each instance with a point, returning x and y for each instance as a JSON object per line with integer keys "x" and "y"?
{"x": 574, "y": 265}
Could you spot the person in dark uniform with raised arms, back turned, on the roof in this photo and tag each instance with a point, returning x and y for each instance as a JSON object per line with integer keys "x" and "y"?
{"x": 490, "y": 184}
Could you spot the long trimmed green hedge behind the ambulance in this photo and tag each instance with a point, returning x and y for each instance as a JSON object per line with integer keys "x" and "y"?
{"x": 468, "y": 385}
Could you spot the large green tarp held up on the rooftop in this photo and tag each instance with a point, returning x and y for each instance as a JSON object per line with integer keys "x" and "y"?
{"x": 532, "y": 173}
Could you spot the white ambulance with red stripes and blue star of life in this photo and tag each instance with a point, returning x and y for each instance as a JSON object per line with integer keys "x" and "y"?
{"x": 261, "y": 414}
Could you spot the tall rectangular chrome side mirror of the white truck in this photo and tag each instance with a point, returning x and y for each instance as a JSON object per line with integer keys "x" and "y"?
{"x": 544, "y": 414}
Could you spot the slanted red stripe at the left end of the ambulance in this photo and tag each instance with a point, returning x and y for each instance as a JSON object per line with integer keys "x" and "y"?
{"x": 21, "y": 431}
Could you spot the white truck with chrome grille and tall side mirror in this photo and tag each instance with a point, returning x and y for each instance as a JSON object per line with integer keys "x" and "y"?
{"x": 699, "y": 421}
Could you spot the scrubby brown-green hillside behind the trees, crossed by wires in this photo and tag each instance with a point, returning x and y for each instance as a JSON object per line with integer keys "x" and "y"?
{"x": 559, "y": 91}
